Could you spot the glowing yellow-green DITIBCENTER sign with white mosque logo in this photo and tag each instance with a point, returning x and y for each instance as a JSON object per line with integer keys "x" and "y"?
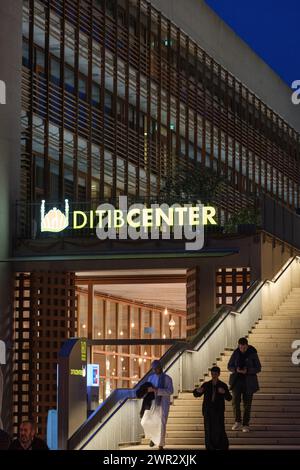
{"x": 137, "y": 221}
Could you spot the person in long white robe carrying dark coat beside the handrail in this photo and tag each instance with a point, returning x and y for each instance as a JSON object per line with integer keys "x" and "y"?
{"x": 154, "y": 420}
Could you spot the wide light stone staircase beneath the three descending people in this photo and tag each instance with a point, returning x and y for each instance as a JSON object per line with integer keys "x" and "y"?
{"x": 275, "y": 418}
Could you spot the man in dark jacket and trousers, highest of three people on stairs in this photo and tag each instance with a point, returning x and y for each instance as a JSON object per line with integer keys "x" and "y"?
{"x": 244, "y": 364}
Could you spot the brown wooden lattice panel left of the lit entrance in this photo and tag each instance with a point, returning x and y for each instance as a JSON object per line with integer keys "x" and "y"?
{"x": 45, "y": 316}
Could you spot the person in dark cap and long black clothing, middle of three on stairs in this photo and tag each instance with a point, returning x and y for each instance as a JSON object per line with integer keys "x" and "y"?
{"x": 215, "y": 393}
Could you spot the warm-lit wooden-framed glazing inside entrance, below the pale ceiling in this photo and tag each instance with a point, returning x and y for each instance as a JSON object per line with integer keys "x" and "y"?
{"x": 124, "y": 365}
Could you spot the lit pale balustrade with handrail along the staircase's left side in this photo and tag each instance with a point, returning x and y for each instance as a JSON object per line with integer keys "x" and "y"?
{"x": 117, "y": 420}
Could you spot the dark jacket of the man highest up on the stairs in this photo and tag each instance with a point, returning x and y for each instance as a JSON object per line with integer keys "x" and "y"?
{"x": 251, "y": 361}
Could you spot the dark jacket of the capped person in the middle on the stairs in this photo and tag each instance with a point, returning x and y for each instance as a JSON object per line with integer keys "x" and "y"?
{"x": 219, "y": 403}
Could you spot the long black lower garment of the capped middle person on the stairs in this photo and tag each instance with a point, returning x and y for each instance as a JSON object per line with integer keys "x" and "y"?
{"x": 214, "y": 426}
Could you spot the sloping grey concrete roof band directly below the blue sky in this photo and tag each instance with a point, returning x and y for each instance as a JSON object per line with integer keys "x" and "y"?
{"x": 203, "y": 25}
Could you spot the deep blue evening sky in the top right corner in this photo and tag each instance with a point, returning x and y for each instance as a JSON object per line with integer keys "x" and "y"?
{"x": 270, "y": 27}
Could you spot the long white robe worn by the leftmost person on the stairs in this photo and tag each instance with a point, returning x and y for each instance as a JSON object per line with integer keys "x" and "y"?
{"x": 157, "y": 416}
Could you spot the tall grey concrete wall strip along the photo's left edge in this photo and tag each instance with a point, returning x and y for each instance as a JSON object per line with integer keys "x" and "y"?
{"x": 10, "y": 73}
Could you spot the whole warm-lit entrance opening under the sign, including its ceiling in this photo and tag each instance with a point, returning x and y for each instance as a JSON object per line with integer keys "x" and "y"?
{"x": 131, "y": 304}
